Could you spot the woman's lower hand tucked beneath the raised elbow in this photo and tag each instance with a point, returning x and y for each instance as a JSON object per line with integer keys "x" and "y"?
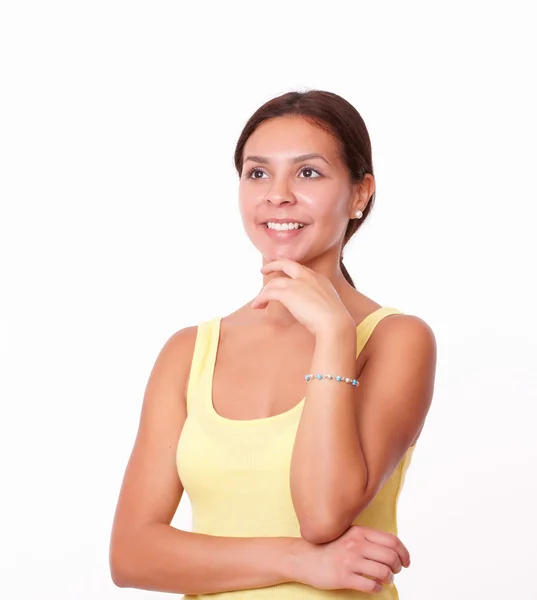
{"x": 343, "y": 563}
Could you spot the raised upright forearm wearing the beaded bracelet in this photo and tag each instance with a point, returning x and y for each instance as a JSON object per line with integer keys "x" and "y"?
{"x": 328, "y": 471}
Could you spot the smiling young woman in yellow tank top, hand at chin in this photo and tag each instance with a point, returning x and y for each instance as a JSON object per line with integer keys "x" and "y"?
{"x": 290, "y": 422}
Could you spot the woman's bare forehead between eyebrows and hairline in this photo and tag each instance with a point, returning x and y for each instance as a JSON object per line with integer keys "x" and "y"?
{"x": 291, "y": 135}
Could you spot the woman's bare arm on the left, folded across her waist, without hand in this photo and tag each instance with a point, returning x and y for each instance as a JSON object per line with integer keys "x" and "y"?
{"x": 146, "y": 552}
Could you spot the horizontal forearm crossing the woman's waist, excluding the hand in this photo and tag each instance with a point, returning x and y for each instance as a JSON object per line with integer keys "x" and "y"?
{"x": 161, "y": 558}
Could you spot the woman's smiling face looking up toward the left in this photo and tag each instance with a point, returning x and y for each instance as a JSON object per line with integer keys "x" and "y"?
{"x": 292, "y": 173}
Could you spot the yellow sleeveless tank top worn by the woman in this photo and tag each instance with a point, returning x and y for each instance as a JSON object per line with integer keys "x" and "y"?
{"x": 236, "y": 472}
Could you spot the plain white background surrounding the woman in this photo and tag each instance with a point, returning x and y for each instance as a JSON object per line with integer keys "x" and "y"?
{"x": 119, "y": 225}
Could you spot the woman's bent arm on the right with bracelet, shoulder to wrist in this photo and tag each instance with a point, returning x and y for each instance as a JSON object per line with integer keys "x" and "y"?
{"x": 350, "y": 439}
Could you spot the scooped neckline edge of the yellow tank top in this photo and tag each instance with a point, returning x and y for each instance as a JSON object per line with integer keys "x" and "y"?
{"x": 215, "y": 336}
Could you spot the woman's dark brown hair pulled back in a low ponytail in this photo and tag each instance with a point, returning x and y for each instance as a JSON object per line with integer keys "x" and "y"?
{"x": 339, "y": 118}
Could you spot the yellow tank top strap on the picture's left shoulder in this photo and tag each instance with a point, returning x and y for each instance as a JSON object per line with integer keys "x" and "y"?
{"x": 203, "y": 360}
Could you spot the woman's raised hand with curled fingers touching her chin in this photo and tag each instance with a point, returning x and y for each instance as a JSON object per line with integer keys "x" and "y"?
{"x": 309, "y": 296}
